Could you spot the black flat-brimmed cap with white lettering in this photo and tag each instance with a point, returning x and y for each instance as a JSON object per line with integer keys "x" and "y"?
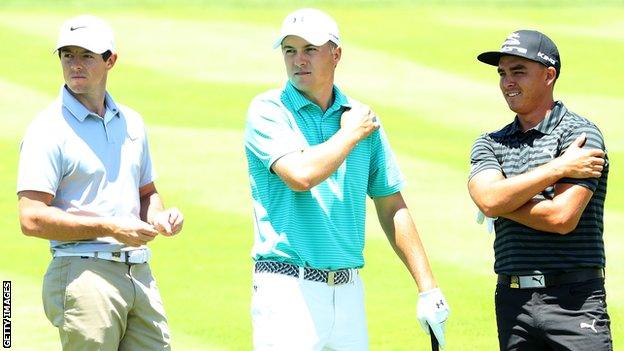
{"x": 530, "y": 44}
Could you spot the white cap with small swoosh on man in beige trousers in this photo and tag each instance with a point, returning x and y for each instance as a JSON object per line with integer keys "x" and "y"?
{"x": 89, "y": 32}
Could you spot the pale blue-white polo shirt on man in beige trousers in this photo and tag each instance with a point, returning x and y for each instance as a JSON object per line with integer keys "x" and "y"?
{"x": 92, "y": 166}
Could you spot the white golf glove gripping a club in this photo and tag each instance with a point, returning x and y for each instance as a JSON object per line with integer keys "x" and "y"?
{"x": 432, "y": 311}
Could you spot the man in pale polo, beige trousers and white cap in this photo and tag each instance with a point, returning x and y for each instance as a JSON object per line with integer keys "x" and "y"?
{"x": 86, "y": 183}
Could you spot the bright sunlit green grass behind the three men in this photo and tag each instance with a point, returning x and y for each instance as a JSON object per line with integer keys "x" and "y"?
{"x": 191, "y": 68}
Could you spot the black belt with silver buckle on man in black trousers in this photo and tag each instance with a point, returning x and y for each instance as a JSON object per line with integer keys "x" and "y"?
{"x": 532, "y": 281}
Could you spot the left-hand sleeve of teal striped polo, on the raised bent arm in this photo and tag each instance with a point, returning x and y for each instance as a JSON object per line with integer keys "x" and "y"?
{"x": 270, "y": 133}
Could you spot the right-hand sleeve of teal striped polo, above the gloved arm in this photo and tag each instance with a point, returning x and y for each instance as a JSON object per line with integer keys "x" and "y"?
{"x": 385, "y": 177}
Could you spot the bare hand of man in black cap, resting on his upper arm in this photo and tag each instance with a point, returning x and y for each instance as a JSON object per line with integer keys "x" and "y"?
{"x": 577, "y": 162}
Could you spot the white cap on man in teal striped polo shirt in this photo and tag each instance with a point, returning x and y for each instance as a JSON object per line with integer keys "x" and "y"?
{"x": 313, "y": 25}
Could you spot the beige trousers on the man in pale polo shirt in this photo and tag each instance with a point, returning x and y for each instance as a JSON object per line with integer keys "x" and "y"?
{"x": 104, "y": 305}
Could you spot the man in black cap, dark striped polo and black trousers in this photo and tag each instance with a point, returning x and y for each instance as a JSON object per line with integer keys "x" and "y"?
{"x": 543, "y": 180}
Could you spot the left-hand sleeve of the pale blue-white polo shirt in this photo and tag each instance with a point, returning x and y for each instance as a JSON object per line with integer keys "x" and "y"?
{"x": 40, "y": 161}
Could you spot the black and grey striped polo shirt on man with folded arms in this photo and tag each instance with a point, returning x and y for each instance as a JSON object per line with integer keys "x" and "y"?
{"x": 519, "y": 249}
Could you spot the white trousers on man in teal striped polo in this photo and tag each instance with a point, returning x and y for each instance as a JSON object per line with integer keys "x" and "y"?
{"x": 293, "y": 314}
